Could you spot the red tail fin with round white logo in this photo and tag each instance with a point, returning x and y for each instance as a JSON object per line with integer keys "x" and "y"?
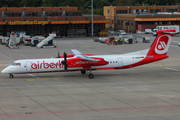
{"x": 161, "y": 43}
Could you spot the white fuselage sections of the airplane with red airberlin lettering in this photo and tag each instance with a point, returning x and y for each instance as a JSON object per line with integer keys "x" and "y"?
{"x": 54, "y": 64}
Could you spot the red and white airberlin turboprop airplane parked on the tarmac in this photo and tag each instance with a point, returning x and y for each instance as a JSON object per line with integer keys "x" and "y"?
{"x": 88, "y": 62}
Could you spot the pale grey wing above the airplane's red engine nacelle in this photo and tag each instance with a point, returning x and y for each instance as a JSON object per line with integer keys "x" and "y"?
{"x": 78, "y": 54}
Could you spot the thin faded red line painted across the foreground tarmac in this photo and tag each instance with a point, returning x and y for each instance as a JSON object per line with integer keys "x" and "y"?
{"x": 91, "y": 111}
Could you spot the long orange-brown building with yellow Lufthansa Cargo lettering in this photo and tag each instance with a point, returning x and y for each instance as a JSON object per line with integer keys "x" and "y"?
{"x": 65, "y": 21}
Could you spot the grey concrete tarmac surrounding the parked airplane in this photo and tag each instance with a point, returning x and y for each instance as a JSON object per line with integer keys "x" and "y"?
{"x": 148, "y": 92}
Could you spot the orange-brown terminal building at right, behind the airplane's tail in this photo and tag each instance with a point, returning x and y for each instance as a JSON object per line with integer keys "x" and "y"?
{"x": 138, "y": 18}
